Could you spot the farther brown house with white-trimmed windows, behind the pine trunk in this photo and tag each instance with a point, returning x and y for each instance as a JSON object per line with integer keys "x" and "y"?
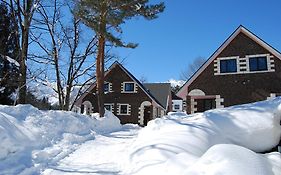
{"x": 127, "y": 98}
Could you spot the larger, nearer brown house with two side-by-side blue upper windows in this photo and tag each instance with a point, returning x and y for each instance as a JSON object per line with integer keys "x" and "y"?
{"x": 243, "y": 69}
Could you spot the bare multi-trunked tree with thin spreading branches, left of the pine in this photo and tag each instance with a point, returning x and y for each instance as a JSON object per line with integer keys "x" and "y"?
{"x": 64, "y": 49}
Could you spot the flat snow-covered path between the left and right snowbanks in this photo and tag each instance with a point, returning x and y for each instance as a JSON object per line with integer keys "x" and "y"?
{"x": 104, "y": 155}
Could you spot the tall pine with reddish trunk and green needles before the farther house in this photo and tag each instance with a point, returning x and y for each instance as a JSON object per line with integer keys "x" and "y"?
{"x": 105, "y": 18}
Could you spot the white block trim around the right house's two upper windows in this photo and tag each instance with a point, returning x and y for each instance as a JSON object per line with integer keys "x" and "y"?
{"x": 270, "y": 64}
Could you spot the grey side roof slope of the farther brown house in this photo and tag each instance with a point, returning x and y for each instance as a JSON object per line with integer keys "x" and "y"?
{"x": 160, "y": 91}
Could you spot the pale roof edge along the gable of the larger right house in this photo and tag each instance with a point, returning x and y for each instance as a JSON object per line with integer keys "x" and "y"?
{"x": 240, "y": 29}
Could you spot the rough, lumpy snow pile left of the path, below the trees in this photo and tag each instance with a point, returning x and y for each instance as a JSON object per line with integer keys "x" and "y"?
{"x": 32, "y": 139}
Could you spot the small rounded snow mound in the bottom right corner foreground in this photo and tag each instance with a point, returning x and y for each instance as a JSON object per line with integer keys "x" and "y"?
{"x": 234, "y": 160}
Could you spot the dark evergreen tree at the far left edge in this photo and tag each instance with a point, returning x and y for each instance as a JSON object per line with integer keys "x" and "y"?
{"x": 9, "y": 69}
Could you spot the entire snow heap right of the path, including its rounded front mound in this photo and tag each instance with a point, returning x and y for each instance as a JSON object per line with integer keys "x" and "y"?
{"x": 220, "y": 141}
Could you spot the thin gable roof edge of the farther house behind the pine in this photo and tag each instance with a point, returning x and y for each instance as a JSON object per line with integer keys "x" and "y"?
{"x": 116, "y": 63}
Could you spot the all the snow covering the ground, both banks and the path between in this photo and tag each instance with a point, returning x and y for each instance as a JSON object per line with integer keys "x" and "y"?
{"x": 221, "y": 141}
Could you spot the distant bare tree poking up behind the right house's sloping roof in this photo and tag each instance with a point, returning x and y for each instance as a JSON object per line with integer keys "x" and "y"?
{"x": 192, "y": 68}
